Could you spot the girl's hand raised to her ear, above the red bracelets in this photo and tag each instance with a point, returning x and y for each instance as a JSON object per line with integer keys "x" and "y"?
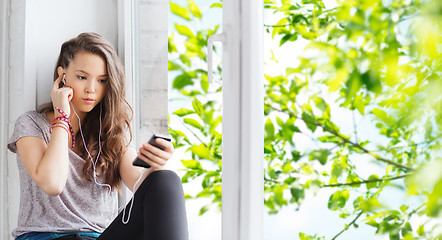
{"x": 61, "y": 96}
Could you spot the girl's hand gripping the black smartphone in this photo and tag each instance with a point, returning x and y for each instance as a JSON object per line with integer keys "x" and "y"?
{"x": 154, "y": 156}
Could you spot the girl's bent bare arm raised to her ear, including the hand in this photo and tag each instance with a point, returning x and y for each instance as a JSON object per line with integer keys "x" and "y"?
{"x": 48, "y": 164}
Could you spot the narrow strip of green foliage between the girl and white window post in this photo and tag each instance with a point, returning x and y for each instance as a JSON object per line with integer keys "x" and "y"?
{"x": 200, "y": 130}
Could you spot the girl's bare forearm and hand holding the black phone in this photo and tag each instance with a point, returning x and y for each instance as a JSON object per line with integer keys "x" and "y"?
{"x": 154, "y": 156}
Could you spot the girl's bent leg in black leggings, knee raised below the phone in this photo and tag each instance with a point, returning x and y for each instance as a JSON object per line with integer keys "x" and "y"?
{"x": 158, "y": 211}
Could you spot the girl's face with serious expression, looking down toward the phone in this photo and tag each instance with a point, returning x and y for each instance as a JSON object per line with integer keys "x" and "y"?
{"x": 87, "y": 76}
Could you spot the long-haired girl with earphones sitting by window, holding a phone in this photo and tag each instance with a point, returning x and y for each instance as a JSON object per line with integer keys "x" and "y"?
{"x": 73, "y": 155}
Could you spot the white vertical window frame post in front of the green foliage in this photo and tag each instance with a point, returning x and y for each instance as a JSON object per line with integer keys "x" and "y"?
{"x": 243, "y": 118}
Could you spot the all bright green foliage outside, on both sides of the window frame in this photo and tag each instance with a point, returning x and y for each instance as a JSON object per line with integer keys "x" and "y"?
{"x": 367, "y": 64}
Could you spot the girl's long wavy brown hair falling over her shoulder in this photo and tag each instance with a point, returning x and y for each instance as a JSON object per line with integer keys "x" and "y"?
{"x": 116, "y": 111}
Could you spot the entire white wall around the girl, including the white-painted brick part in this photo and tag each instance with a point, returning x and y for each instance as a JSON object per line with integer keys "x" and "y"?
{"x": 31, "y": 35}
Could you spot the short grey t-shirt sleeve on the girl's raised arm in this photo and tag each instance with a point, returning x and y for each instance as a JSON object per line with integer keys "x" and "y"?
{"x": 25, "y": 126}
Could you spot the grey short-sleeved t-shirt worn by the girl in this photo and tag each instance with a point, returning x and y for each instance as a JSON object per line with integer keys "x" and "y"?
{"x": 82, "y": 206}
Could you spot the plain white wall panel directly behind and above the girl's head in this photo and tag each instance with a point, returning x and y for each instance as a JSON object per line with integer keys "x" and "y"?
{"x": 49, "y": 23}
